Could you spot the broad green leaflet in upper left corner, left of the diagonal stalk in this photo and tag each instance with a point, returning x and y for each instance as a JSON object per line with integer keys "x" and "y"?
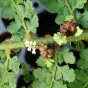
{"x": 8, "y": 12}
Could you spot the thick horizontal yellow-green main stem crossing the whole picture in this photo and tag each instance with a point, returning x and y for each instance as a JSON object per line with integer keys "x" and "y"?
{"x": 47, "y": 39}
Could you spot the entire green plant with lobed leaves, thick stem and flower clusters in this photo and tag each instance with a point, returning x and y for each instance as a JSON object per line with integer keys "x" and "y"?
{"x": 54, "y": 69}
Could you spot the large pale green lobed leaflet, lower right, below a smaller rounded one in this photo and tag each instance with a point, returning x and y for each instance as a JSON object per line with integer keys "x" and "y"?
{"x": 68, "y": 74}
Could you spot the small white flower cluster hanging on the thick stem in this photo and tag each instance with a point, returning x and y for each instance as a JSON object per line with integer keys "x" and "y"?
{"x": 31, "y": 46}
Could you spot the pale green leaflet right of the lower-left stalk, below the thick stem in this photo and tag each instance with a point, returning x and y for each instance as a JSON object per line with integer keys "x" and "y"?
{"x": 14, "y": 65}
